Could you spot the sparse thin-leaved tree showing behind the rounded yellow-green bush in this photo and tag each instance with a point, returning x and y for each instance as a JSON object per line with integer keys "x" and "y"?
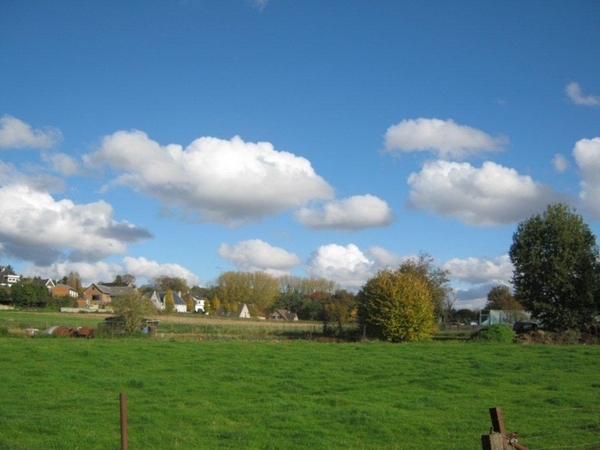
{"x": 437, "y": 280}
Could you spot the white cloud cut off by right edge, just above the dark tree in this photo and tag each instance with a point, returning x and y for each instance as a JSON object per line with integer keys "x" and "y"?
{"x": 587, "y": 156}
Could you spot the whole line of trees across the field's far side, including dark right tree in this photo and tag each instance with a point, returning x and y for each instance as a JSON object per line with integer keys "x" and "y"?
{"x": 556, "y": 277}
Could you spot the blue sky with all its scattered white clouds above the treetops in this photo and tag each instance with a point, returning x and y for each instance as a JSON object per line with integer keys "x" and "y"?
{"x": 316, "y": 138}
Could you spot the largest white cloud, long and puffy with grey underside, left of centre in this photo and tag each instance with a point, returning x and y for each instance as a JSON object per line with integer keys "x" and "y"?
{"x": 213, "y": 180}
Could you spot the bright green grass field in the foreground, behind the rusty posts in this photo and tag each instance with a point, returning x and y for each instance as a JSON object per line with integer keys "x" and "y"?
{"x": 60, "y": 393}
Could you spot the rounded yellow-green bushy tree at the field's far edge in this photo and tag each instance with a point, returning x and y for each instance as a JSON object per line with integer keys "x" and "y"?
{"x": 397, "y": 306}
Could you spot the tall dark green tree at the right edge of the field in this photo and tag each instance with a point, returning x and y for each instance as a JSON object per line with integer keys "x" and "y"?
{"x": 556, "y": 268}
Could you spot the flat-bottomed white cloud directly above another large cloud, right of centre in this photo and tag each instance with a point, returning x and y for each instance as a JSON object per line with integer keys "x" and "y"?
{"x": 444, "y": 137}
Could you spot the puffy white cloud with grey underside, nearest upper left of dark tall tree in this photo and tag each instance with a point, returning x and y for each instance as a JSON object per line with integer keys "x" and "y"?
{"x": 486, "y": 196}
